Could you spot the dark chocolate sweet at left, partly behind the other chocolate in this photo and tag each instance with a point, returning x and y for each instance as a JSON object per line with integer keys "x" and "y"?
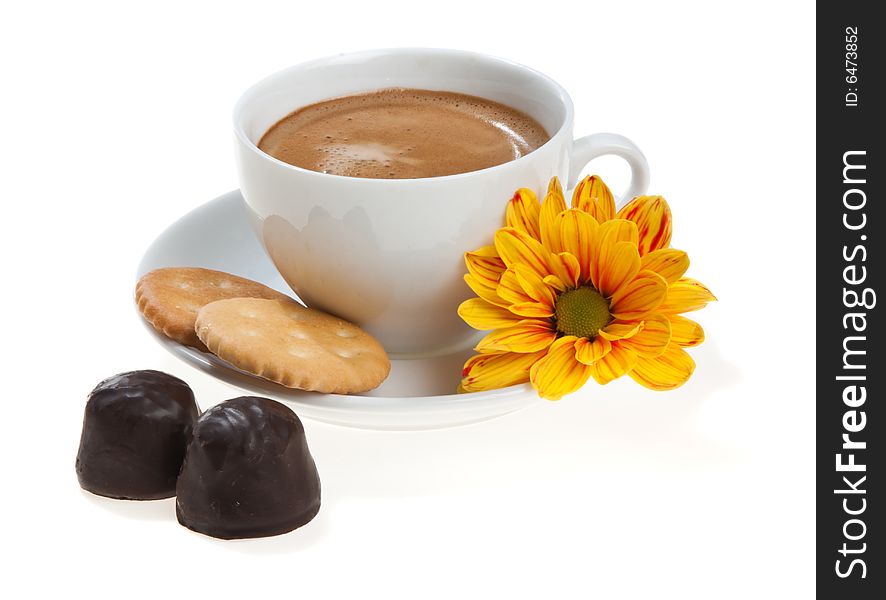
{"x": 135, "y": 431}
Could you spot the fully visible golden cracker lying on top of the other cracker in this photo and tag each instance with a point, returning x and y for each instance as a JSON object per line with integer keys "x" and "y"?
{"x": 298, "y": 347}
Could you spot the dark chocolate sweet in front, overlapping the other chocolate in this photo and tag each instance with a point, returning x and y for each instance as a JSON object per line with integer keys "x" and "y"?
{"x": 247, "y": 472}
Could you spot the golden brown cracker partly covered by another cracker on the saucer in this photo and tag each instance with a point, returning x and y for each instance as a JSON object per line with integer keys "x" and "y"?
{"x": 170, "y": 298}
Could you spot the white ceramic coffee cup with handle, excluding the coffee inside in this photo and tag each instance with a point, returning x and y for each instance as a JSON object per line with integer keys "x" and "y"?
{"x": 387, "y": 254}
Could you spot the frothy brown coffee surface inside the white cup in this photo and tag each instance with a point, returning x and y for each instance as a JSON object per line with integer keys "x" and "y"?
{"x": 403, "y": 134}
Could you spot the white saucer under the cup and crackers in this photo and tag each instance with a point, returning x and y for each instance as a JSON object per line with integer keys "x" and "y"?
{"x": 418, "y": 394}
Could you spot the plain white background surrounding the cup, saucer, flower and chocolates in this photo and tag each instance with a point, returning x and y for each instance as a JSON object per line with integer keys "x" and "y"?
{"x": 116, "y": 122}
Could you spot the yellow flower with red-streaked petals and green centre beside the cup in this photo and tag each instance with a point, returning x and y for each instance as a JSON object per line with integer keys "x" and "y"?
{"x": 574, "y": 293}
